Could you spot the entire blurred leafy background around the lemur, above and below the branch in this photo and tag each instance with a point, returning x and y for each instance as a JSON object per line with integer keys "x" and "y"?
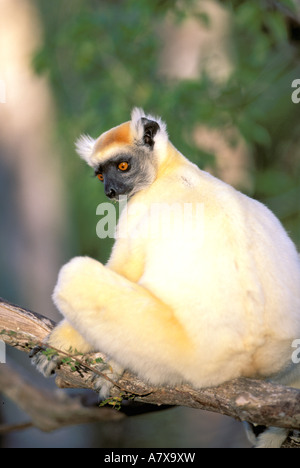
{"x": 101, "y": 58}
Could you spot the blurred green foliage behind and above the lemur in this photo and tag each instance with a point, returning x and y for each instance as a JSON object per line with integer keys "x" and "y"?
{"x": 102, "y": 58}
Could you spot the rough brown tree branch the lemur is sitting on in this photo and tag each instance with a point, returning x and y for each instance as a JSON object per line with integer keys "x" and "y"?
{"x": 243, "y": 399}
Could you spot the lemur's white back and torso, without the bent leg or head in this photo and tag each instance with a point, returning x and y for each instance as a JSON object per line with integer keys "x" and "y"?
{"x": 241, "y": 262}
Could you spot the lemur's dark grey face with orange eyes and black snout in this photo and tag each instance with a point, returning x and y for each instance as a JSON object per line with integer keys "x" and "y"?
{"x": 126, "y": 173}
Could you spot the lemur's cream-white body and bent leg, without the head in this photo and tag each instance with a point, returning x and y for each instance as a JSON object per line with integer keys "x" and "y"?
{"x": 236, "y": 294}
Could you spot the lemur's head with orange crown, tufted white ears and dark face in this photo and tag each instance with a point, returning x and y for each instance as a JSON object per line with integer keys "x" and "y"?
{"x": 126, "y": 157}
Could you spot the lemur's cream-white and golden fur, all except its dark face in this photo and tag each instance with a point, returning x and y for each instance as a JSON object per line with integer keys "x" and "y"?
{"x": 204, "y": 311}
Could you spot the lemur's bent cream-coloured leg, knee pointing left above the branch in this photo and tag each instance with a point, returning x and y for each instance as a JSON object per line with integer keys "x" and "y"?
{"x": 122, "y": 319}
